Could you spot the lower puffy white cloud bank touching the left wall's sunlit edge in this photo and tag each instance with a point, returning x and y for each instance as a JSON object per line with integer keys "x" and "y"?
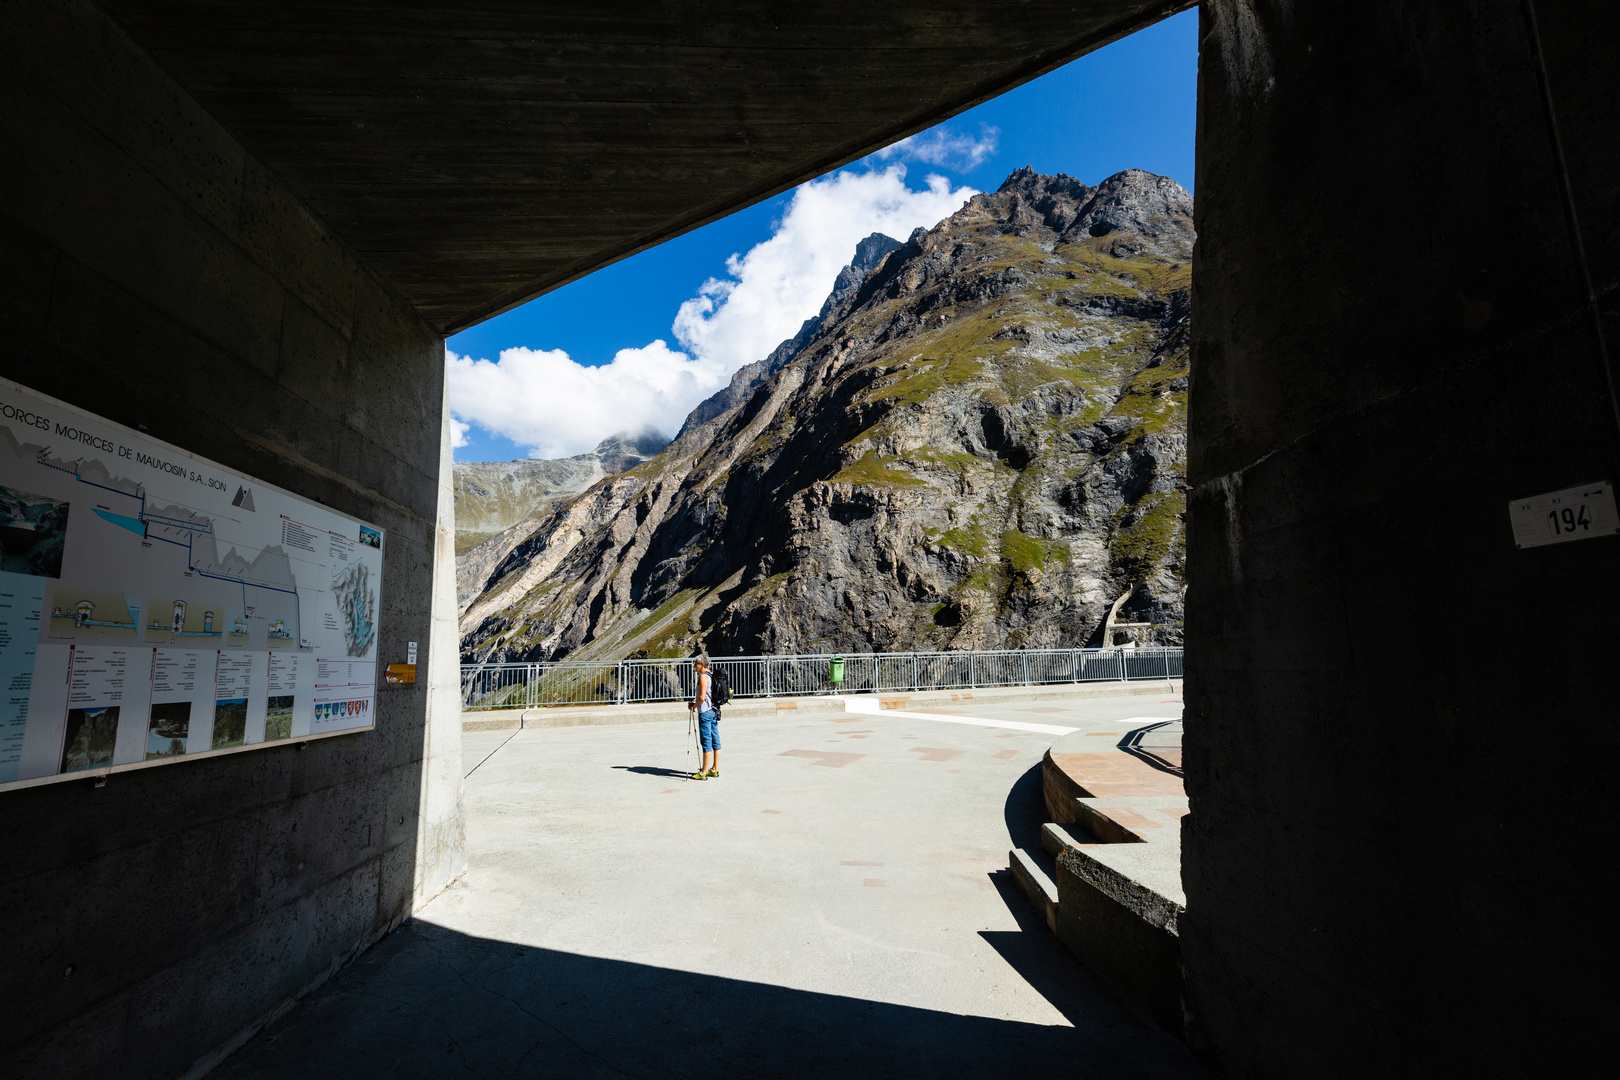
{"x": 545, "y": 401}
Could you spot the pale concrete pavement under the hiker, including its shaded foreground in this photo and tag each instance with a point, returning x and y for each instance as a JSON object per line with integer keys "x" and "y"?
{"x": 837, "y": 904}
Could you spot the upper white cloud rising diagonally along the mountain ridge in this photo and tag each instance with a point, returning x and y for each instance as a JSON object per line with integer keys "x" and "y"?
{"x": 783, "y": 281}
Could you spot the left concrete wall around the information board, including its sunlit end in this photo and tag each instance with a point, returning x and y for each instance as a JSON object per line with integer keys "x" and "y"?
{"x": 153, "y": 273}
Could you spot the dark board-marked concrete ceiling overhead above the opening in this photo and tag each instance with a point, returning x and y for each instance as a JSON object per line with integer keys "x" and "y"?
{"x": 484, "y": 153}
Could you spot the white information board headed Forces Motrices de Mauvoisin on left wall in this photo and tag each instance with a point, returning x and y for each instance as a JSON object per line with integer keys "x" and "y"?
{"x": 156, "y": 606}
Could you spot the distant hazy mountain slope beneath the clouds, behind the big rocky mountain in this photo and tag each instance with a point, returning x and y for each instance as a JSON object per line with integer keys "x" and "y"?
{"x": 500, "y": 504}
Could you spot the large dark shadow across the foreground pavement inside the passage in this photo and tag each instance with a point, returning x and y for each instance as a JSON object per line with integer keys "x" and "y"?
{"x": 433, "y": 1003}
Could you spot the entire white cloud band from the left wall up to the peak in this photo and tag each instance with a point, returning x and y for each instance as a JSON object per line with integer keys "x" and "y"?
{"x": 547, "y": 401}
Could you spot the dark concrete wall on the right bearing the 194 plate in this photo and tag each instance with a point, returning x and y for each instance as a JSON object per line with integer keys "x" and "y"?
{"x": 1397, "y": 851}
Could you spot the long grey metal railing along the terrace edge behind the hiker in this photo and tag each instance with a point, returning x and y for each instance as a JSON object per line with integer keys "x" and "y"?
{"x": 626, "y": 682}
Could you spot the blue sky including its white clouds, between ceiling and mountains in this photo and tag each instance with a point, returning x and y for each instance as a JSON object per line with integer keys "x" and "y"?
{"x": 621, "y": 351}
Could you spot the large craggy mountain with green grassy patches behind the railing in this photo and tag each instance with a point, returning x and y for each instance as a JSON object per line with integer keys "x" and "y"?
{"x": 979, "y": 443}
